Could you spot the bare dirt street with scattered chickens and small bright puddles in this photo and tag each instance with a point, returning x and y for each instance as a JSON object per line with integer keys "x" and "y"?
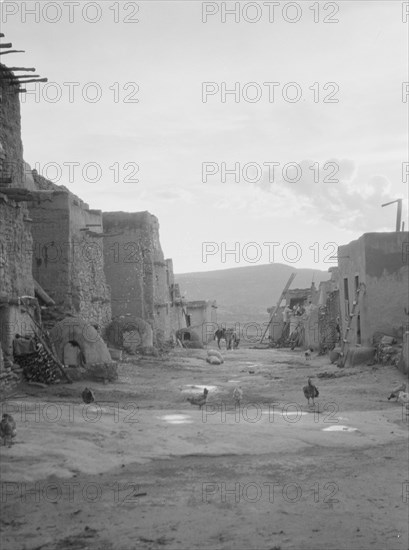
{"x": 144, "y": 469}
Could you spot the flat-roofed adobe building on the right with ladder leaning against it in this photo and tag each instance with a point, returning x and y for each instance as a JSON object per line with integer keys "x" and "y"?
{"x": 377, "y": 265}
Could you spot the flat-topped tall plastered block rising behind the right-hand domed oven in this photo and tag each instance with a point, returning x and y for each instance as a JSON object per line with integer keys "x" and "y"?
{"x": 136, "y": 270}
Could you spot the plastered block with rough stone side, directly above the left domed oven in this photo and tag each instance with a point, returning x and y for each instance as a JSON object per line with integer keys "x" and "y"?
{"x": 68, "y": 262}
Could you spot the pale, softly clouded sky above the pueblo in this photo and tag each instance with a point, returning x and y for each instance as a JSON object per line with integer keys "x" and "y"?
{"x": 297, "y": 159}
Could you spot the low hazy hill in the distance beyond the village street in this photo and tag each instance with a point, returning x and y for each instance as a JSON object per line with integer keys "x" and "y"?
{"x": 243, "y": 294}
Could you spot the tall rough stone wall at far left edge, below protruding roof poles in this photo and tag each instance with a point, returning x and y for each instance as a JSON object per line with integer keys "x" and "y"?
{"x": 16, "y": 278}
